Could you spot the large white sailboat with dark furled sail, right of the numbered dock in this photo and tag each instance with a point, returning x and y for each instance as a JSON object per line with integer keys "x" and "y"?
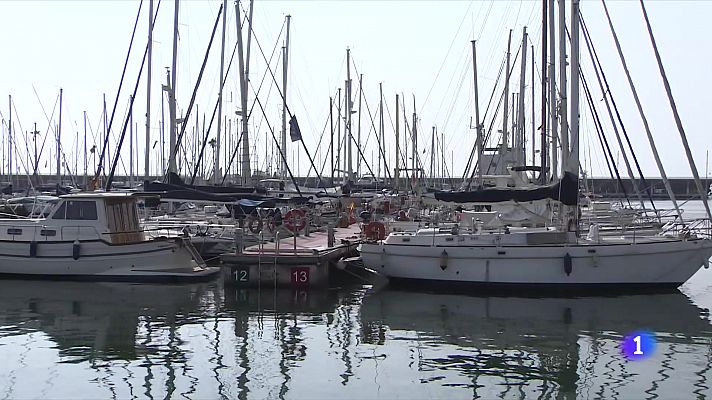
{"x": 541, "y": 257}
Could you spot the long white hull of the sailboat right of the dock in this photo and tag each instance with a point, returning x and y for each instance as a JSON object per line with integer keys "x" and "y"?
{"x": 663, "y": 262}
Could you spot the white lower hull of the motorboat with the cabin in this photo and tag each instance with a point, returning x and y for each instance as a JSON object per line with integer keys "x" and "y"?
{"x": 99, "y": 260}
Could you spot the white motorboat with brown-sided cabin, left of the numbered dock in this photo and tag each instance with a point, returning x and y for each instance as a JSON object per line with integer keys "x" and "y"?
{"x": 95, "y": 236}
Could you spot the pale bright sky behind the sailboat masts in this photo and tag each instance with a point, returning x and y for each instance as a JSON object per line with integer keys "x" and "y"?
{"x": 420, "y": 50}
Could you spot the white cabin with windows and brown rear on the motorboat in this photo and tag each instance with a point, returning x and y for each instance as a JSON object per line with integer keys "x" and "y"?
{"x": 109, "y": 216}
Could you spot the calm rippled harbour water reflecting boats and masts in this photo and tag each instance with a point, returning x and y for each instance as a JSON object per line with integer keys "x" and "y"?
{"x": 116, "y": 340}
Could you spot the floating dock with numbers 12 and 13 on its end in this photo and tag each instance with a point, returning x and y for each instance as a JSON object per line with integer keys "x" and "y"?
{"x": 295, "y": 261}
